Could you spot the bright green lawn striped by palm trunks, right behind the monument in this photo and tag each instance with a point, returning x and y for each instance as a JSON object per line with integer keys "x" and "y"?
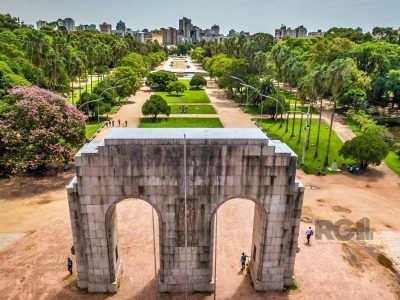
{"x": 311, "y": 164}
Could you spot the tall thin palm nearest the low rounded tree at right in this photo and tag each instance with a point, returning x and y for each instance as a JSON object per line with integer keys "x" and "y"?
{"x": 337, "y": 74}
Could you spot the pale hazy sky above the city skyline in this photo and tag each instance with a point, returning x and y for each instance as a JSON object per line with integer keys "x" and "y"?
{"x": 247, "y": 15}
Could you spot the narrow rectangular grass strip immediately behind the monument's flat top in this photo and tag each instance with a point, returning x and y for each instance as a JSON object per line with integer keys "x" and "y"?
{"x": 181, "y": 123}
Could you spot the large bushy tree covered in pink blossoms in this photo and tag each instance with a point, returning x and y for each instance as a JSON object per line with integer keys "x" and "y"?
{"x": 40, "y": 128}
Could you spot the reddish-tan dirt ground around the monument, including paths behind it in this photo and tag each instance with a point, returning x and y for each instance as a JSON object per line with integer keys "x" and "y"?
{"x": 34, "y": 266}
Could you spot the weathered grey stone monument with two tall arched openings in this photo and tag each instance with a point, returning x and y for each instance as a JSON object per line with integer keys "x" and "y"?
{"x": 148, "y": 164}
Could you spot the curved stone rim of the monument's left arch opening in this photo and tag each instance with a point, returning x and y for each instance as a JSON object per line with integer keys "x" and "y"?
{"x": 111, "y": 228}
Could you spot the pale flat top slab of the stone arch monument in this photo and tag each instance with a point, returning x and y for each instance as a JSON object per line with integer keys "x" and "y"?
{"x": 191, "y": 133}
